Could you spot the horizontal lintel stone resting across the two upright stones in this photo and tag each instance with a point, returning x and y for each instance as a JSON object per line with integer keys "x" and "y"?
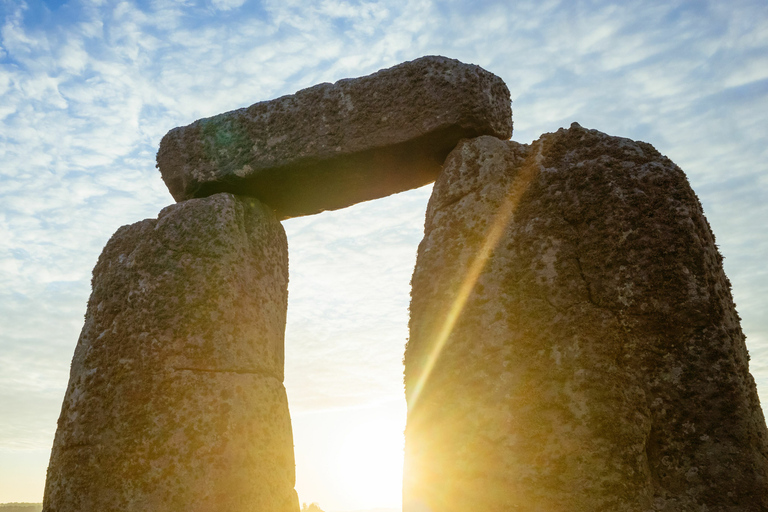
{"x": 334, "y": 145}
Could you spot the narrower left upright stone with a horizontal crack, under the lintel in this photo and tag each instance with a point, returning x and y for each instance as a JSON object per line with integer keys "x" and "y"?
{"x": 175, "y": 399}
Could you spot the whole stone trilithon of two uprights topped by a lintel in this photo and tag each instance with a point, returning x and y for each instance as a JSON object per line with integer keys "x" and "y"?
{"x": 573, "y": 341}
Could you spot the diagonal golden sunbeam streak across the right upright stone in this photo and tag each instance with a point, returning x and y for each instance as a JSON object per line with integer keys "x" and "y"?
{"x": 503, "y": 217}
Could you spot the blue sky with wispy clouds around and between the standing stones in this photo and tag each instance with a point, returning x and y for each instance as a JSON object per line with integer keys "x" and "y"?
{"x": 89, "y": 87}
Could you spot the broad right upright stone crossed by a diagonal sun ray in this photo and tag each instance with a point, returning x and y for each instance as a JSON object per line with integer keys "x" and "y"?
{"x": 598, "y": 363}
